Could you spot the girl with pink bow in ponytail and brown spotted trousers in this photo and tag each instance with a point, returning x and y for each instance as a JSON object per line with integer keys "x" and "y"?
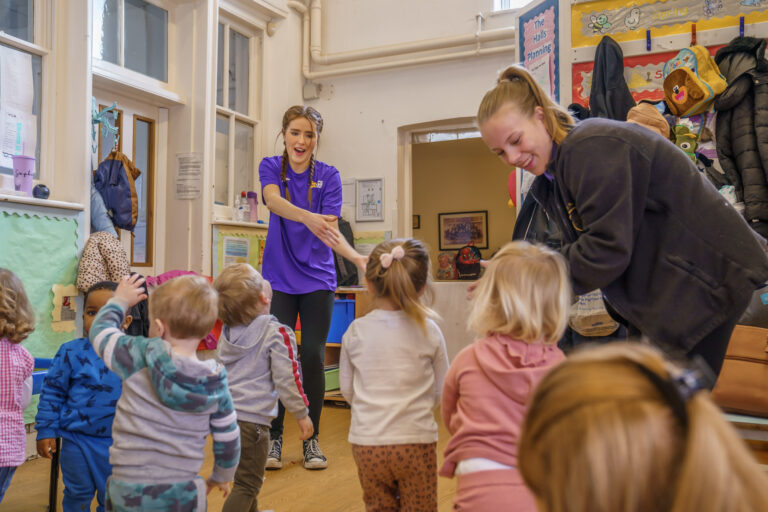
{"x": 393, "y": 361}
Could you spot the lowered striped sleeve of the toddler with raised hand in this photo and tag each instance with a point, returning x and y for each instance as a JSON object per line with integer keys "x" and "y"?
{"x": 226, "y": 438}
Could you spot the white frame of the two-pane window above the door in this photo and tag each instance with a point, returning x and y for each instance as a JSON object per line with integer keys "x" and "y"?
{"x": 142, "y": 81}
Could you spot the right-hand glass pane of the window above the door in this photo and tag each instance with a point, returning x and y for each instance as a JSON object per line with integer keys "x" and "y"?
{"x": 146, "y": 44}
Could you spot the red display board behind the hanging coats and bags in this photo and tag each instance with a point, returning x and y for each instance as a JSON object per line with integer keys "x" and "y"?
{"x": 643, "y": 74}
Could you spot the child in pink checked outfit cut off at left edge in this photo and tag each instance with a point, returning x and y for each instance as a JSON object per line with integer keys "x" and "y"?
{"x": 17, "y": 320}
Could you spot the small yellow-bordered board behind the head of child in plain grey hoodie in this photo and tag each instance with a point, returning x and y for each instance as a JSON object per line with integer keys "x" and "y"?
{"x": 235, "y": 244}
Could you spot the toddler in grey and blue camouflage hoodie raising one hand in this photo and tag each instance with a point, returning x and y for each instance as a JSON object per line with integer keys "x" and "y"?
{"x": 171, "y": 400}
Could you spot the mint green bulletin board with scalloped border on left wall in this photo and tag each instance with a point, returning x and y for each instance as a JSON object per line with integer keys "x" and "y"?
{"x": 42, "y": 251}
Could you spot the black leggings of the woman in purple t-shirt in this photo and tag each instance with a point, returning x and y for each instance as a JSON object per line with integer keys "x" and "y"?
{"x": 315, "y": 309}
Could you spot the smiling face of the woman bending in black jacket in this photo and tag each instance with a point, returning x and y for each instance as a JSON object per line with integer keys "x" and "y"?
{"x": 519, "y": 140}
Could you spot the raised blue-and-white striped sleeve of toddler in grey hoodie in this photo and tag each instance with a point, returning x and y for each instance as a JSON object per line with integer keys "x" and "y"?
{"x": 123, "y": 354}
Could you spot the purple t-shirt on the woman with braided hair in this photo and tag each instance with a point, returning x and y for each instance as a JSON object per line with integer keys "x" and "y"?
{"x": 295, "y": 260}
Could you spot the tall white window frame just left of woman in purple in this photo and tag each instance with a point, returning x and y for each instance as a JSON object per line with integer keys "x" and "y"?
{"x": 255, "y": 54}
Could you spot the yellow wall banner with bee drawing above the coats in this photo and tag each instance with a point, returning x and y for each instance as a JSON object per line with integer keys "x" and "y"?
{"x": 627, "y": 21}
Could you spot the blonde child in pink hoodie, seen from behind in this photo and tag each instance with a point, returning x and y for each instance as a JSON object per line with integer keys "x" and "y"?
{"x": 520, "y": 310}
